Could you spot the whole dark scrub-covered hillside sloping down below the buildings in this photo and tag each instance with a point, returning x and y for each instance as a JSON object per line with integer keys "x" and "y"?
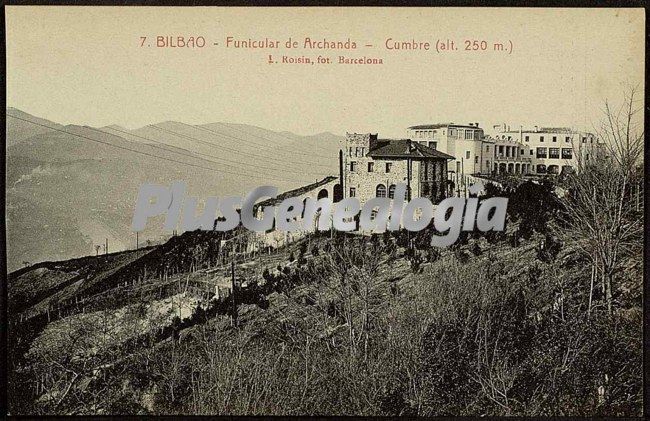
{"x": 544, "y": 318}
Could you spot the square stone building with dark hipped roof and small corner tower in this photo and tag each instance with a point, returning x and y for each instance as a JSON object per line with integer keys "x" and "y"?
{"x": 372, "y": 167}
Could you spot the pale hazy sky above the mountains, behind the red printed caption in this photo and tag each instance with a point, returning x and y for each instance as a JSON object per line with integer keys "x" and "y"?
{"x": 84, "y": 65}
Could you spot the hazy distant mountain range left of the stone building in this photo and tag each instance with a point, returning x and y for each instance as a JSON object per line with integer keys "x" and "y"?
{"x": 69, "y": 187}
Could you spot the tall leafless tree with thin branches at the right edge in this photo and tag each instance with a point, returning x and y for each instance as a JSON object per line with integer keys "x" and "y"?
{"x": 602, "y": 218}
